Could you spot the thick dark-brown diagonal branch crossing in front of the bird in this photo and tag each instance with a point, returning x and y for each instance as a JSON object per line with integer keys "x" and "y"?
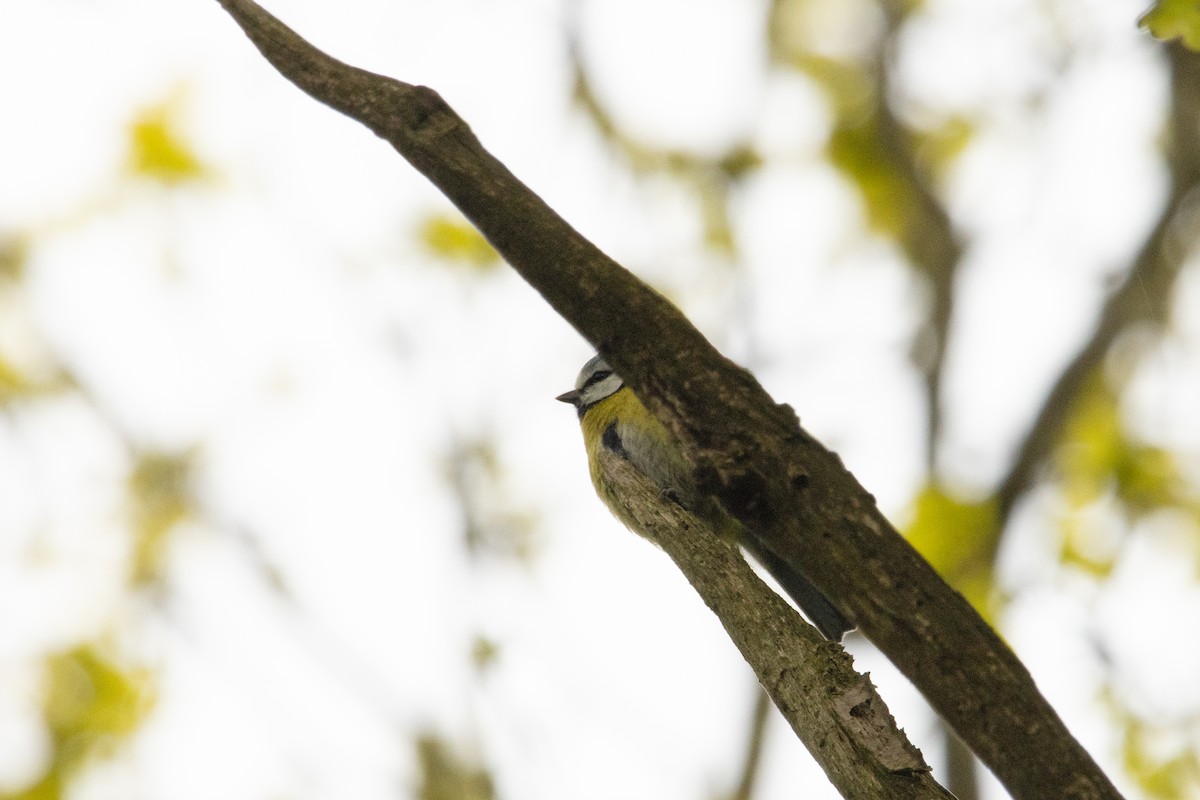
{"x": 748, "y": 452}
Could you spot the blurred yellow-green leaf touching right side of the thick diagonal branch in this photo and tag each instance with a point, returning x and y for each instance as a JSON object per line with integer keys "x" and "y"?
{"x": 958, "y": 538}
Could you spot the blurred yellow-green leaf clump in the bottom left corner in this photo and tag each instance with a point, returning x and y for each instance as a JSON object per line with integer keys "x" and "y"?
{"x": 92, "y": 703}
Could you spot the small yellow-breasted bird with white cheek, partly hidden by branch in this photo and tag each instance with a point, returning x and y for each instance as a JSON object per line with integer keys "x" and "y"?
{"x": 614, "y": 419}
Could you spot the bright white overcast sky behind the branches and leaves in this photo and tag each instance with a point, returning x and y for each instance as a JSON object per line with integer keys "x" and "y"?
{"x": 283, "y": 321}
